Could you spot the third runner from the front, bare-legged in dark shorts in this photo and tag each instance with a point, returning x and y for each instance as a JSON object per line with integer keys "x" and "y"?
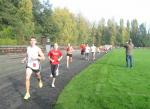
{"x": 69, "y": 51}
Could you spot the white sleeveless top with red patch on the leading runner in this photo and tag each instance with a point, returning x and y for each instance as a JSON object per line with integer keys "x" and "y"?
{"x": 32, "y": 55}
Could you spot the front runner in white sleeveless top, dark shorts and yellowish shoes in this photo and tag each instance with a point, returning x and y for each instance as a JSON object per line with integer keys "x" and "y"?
{"x": 33, "y": 57}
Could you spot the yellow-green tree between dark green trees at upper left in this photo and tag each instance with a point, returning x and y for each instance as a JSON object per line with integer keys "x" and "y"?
{"x": 26, "y": 16}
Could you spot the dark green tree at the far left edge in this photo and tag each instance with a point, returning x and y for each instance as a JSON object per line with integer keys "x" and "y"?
{"x": 8, "y": 19}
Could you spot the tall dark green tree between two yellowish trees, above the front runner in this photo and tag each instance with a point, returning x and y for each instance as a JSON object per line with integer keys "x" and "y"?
{"x": 44, "y": 24}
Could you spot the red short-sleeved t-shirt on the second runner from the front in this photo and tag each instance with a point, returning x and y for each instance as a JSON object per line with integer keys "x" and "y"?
{"x": 54, "y": 55}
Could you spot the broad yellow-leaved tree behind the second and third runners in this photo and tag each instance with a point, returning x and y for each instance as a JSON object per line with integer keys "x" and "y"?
{"x": 66, "y": 24}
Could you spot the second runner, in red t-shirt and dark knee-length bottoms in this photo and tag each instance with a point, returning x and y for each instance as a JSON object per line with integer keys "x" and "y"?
{"x": 54, "y": 56}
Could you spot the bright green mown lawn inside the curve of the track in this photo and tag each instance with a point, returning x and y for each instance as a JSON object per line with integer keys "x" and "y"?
{"x": 108, "y": 84}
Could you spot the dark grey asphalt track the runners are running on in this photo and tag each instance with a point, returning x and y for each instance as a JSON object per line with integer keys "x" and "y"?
{"x": 12, "y": 82}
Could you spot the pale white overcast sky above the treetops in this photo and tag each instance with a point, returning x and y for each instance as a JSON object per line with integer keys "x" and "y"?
{"x": 94, "y": 10}
